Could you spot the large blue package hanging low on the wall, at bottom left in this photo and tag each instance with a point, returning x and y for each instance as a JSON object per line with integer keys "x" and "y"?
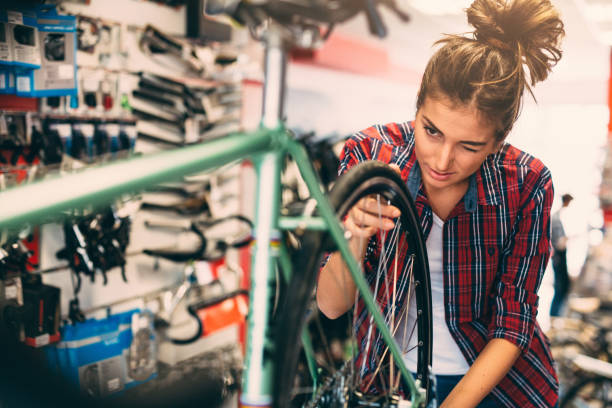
{"x": 106, "y": 356}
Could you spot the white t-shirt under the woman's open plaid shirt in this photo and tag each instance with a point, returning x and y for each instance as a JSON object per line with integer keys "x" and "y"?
{"x": 447, "y": 358}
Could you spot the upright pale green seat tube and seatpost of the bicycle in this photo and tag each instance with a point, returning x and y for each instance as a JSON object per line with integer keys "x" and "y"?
{"x": 257, "y": 382}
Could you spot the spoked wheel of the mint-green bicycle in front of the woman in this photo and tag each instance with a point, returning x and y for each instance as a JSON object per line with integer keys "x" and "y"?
{"x": 351, "y": 361}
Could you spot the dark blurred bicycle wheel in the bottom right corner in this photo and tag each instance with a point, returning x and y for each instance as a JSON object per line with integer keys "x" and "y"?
{"x": 589, "y": 393}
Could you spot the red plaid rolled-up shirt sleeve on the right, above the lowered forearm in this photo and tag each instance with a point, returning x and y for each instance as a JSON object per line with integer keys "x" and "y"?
{"x": 514, "y": 299}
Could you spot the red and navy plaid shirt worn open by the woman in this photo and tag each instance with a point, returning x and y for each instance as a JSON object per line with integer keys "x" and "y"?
{"x": 496, "y": 245}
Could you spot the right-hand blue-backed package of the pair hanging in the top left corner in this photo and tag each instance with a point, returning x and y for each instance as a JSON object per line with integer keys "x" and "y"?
{"x": 57, "y": 73}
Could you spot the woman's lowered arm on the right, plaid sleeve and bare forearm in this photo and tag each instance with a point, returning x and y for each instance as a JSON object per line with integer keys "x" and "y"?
{"x": 515, "y": 297}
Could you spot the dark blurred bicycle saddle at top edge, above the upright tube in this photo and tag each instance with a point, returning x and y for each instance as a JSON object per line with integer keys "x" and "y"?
{"x": 298, "y": 12}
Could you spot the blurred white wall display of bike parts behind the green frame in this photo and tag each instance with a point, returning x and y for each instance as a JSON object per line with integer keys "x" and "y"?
{"x": 110, "y": 80}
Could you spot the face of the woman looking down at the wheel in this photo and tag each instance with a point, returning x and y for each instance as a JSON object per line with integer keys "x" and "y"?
{"x": 451, "y": 142}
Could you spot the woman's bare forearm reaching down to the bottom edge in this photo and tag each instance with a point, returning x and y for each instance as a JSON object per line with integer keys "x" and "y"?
{"x": 492, "y": 364}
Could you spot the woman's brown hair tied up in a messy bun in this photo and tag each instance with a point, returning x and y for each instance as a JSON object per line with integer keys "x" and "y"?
{"x": 487, "y": 68}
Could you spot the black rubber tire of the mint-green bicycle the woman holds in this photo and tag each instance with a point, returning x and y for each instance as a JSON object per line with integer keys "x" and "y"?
{"x": 364, "y": 179}
